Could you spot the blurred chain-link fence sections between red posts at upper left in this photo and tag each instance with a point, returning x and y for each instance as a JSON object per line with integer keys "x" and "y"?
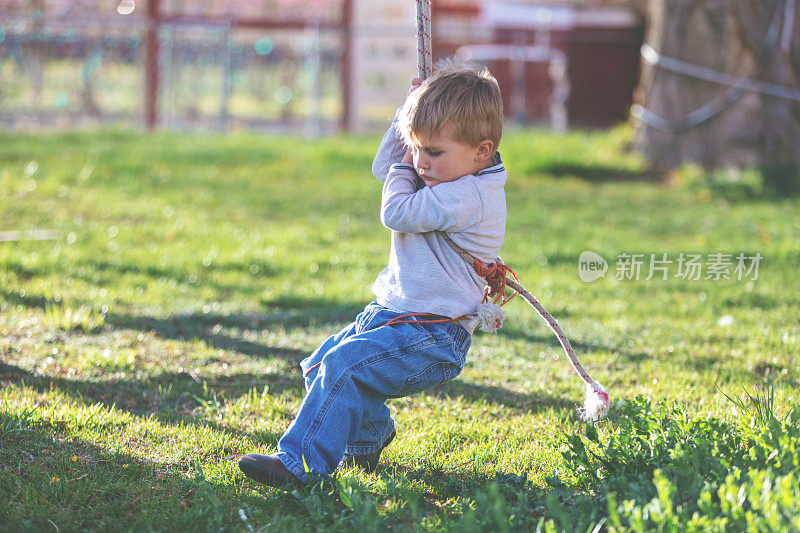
{"x": 59, "y": 71}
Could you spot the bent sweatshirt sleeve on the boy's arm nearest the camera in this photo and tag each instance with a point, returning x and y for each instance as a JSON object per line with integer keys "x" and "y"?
{"x": 451, "y": 206}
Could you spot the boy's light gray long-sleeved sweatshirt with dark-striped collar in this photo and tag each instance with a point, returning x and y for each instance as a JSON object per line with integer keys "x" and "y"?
{"x": 425, "y": 274}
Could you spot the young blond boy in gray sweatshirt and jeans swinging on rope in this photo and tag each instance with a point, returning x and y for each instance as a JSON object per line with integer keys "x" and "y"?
{"x": 441, "y": 176}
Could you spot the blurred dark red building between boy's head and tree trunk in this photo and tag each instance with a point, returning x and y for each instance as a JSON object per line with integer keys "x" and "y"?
{"x": 574, "y": 55}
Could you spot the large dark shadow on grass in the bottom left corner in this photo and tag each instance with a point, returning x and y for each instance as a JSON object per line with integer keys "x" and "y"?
{"x": 59, "y": 480}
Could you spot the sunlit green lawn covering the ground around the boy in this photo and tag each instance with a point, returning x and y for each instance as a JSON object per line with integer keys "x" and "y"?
{"x": 156, "y": 339}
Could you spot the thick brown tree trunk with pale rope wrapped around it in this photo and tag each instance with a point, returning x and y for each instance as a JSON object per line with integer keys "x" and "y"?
{"x": 684, "y": 118}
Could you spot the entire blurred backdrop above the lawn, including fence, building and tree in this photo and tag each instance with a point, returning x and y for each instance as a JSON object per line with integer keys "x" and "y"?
{"x": 712, "y": 83}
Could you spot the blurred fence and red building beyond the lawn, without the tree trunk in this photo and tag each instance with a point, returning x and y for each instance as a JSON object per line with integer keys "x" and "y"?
{"x": 307, "y": 66}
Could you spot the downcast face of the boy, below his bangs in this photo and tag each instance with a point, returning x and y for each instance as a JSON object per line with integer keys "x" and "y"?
{"x": 439, "y": 158}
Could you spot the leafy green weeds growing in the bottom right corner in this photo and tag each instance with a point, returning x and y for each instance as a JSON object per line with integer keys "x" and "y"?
{"x": 658, "y": 469}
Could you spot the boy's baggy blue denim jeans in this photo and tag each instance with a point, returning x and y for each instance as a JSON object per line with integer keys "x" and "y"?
{"x": 351, "y": 375}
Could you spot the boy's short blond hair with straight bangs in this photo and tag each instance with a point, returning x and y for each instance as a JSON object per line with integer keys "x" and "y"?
{"x": 461, "y": 98}
